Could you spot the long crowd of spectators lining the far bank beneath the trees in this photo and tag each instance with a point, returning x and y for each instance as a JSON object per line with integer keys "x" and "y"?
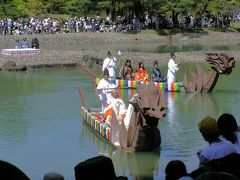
{"x": 37, "y": 25}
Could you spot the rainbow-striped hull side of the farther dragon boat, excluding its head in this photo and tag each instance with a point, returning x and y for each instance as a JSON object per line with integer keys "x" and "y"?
{"x": 174, "y": 87}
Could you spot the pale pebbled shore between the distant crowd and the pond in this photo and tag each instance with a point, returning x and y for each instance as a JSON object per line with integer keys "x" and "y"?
{"x": 89, "y": 49}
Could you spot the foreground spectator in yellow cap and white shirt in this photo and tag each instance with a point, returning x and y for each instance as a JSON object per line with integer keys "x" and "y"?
{"x": 217, "y": 147}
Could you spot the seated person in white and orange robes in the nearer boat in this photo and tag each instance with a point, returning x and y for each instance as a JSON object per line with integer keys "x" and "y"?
{"x": 116, "y": 106}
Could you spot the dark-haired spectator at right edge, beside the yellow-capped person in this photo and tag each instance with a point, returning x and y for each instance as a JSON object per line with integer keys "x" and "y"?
{"x": 228, "y": 127}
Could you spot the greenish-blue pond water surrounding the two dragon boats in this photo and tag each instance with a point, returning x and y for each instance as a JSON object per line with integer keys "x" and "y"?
{"x": 41, "y": 128}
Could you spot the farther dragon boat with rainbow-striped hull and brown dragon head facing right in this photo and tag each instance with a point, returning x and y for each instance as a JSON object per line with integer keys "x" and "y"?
{"x": 198, "y": 81}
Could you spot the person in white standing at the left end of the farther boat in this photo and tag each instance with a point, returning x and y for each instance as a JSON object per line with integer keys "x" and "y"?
{"x": 110, "y": 64}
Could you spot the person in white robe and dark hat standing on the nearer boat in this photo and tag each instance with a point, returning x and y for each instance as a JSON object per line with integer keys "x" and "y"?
{"x": 104, "y": 90}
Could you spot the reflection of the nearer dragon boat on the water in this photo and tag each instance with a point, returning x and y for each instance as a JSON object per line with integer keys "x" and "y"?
{"x": 137, "y": 166}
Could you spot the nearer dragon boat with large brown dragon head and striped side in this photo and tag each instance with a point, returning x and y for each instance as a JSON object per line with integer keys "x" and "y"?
{"x": 140, "y": 132}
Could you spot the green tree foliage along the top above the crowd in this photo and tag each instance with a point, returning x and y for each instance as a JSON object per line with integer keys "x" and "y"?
{"x": 138, "y": 8}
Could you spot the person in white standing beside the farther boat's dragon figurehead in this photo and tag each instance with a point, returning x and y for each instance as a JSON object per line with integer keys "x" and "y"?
{"x": 172, "y": 69}
